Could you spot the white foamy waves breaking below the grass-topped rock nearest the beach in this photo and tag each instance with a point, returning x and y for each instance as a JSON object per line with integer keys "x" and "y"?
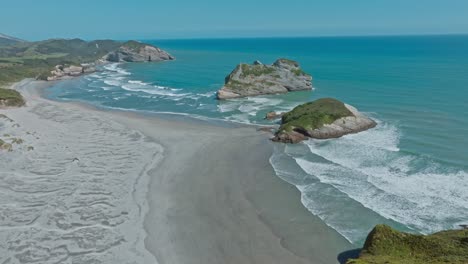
{"x": 369, "y": 169}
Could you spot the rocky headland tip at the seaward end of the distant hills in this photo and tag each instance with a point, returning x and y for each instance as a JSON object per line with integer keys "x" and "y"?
{"x": 133, "y": 51}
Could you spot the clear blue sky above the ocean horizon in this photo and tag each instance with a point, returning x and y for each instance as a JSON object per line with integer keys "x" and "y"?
{"x": 153, "y": 19}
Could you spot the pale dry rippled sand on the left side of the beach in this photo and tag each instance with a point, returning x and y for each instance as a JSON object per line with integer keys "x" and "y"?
{"x": 79, "y": 195}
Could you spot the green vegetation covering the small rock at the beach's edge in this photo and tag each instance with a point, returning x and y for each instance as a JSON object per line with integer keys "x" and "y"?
{"x": 314, "y": 115}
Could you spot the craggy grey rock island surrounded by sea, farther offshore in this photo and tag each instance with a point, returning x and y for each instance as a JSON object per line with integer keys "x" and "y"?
{"x": 257, "y": 79}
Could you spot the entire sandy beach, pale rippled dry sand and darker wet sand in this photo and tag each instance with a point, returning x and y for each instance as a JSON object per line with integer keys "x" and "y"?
{"x": 94, "y": 186}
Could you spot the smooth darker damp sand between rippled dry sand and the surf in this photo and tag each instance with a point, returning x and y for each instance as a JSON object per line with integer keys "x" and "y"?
{"x": 213, "y": 196}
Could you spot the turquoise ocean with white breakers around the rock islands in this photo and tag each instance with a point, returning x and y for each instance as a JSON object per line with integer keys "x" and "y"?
{"x": 410, "y": 172}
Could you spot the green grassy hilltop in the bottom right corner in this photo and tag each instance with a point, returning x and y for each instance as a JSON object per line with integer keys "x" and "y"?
{"x": 386, "y": 245}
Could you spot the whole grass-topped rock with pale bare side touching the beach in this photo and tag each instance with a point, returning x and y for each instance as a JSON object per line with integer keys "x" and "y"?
{"x": 321, "y": 119}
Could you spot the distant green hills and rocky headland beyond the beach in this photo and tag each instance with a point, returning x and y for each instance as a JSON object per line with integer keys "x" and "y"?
{"x": 20, "y": 59}
